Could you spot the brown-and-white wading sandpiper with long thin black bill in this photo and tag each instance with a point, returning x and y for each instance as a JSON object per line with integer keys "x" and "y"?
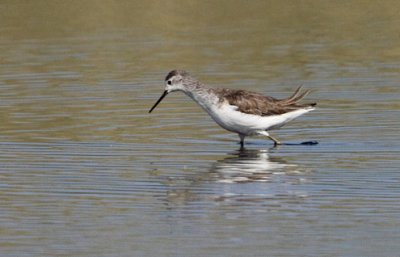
{"x": 243, "y": 112}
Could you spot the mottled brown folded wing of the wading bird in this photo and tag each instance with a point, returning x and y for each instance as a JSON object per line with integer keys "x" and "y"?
{"x": 255, "y": 103}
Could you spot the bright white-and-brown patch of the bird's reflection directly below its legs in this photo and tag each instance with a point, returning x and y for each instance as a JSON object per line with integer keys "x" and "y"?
{"x": 250, "y": 166}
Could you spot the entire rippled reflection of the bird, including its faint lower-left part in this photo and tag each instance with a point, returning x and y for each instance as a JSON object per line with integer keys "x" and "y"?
{"x": 248, "y": 175}
